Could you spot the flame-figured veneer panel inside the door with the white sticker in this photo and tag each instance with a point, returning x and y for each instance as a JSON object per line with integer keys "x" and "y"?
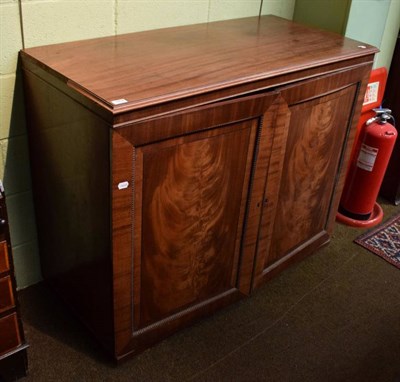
{"x": 191, "y": 205}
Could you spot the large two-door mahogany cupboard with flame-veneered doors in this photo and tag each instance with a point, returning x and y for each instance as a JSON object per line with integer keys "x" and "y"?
{"x": 176, "y": 170}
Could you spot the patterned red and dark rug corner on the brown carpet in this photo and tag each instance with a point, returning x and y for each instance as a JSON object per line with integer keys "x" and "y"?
{"x": 384, "y": 240}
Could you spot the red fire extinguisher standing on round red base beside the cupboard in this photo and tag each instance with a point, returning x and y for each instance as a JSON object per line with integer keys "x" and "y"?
{"x": 358, "y": 205}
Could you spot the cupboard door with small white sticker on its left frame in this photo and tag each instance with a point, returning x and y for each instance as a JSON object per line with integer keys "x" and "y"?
{"x": 181, "y": 189}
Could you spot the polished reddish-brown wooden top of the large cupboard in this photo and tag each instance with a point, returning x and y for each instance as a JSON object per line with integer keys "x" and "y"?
{"x": 166, "y": 64}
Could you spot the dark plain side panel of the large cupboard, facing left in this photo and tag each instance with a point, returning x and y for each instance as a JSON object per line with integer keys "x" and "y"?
{"x": 69, "y": 150}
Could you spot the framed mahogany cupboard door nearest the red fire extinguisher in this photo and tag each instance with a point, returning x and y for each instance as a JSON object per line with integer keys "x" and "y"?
{"x": 301, "y": 188}
